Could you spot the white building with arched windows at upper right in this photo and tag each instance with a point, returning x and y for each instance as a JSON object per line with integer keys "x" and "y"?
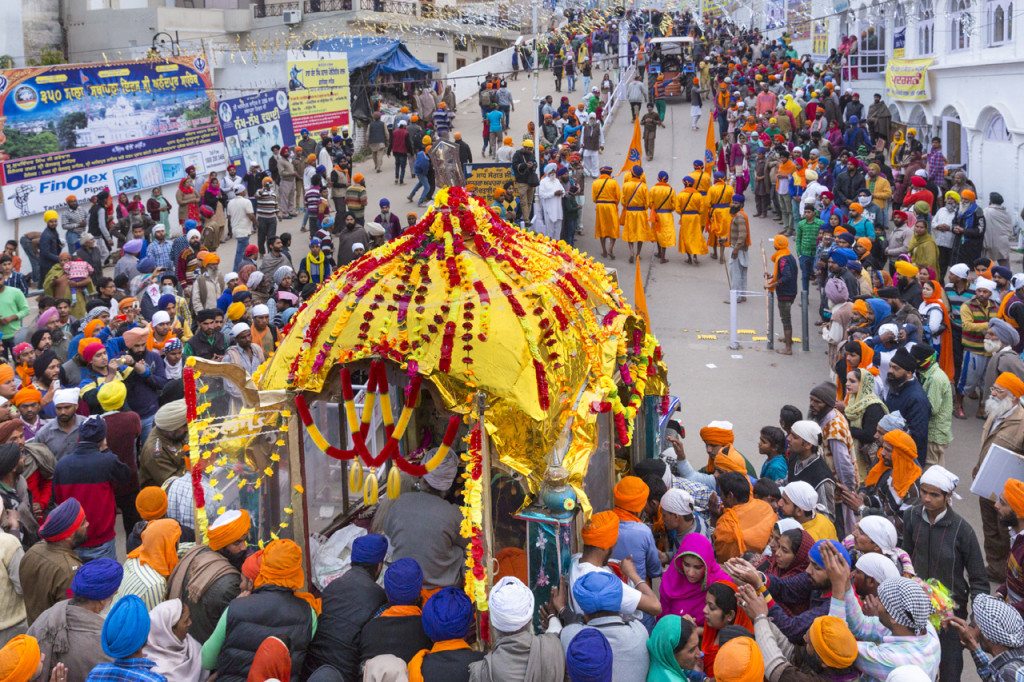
{"x": 976, "y": 81}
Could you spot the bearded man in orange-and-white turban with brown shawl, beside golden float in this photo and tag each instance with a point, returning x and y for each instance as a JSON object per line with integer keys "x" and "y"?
{"x": 207, "y": 578}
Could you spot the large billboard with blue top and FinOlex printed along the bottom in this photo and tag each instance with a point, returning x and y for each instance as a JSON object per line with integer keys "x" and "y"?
{"x": 79, "y": 129}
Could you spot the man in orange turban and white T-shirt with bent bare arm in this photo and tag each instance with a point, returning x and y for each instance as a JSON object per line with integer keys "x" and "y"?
{"x": 600, "y": 538}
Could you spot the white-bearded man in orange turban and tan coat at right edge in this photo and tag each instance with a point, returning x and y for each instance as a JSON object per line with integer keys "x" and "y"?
{"x": 1004, "y": 428}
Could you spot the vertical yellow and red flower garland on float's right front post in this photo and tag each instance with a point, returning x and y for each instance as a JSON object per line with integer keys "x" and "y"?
{"x": 473, "y": 521}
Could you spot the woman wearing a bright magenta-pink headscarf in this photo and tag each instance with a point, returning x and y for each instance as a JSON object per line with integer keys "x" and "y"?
{"x": 685, "y": 584}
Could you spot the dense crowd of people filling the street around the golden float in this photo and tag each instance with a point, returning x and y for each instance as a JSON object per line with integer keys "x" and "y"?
{"x": 843, "y": 558}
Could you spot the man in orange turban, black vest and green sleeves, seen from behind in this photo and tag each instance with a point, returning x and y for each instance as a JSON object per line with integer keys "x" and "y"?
{"x": 278, "y": 607}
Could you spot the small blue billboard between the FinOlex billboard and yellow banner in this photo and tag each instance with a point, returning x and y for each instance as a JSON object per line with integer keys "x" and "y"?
{"x": 252, "y": 125}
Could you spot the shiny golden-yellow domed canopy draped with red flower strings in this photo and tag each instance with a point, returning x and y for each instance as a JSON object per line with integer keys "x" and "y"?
{"x": 479, "y": 305}
